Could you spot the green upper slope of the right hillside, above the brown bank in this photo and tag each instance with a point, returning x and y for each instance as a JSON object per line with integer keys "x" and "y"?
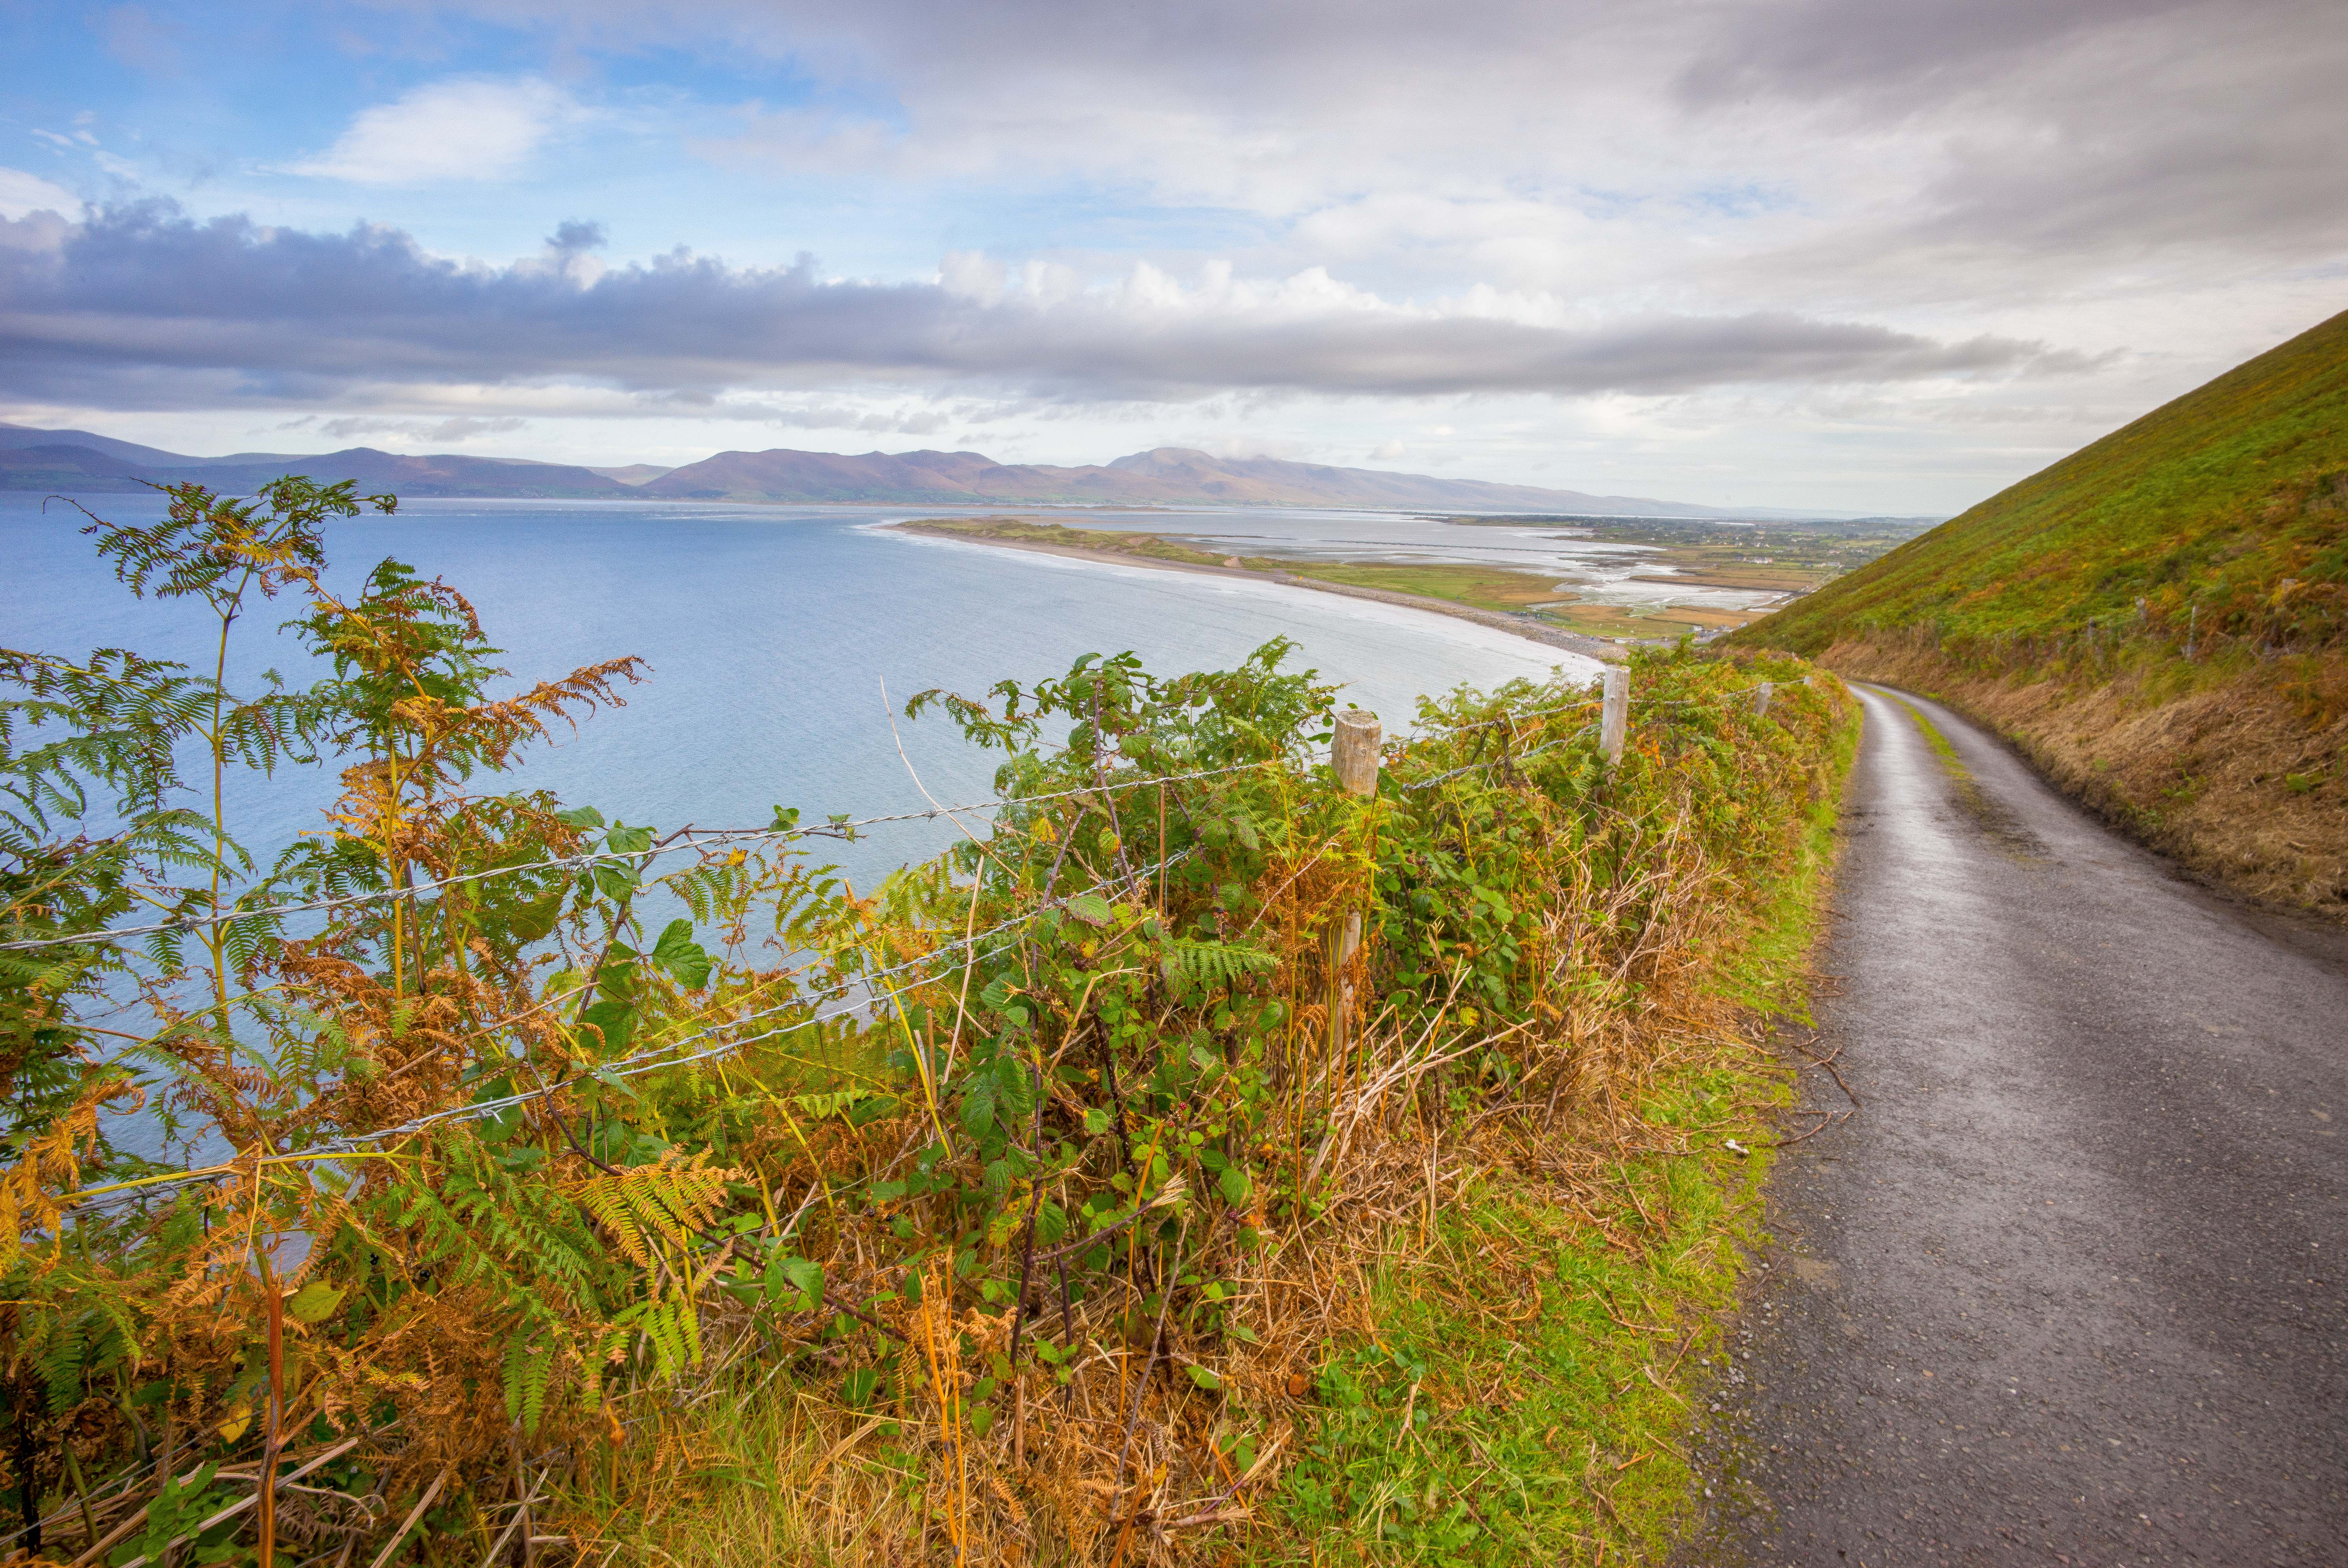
{"x": 2201, "y": 511}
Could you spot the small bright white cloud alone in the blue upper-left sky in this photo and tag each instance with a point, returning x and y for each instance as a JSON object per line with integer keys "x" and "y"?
{"x": 461, "y": 130}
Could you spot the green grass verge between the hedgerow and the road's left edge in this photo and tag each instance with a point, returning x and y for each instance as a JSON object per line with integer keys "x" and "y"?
{"x": 1532, "y": 1356}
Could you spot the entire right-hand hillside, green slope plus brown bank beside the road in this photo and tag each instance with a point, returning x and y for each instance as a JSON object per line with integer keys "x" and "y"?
{"x": 2159, "y": 621}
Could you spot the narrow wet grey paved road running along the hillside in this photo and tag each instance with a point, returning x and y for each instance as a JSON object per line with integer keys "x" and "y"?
{"x": 2070, "y": 1285}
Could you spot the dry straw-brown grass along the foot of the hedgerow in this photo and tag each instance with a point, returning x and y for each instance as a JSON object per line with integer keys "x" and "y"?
{"x": 1135, "y": 1459}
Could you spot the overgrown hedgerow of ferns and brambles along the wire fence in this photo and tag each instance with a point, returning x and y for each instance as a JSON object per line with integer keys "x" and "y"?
{"x": 504, "y": 1135}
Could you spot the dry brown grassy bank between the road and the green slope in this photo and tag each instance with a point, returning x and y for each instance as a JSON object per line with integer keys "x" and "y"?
{"x": 2239, "y": 773}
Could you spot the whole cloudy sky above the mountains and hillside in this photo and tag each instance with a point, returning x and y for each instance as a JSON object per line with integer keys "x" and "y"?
{"x": 1847, "y": 255}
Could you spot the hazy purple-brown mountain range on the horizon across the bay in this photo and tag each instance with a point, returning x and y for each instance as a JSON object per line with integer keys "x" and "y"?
{"x": 79, "y": 461}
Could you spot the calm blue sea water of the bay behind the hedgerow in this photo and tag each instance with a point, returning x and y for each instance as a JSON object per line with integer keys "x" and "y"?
{"x": 778, "y": 644}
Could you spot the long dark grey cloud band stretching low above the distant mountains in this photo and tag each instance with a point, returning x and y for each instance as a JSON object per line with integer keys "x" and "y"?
{"x": 144, "y": 309}
